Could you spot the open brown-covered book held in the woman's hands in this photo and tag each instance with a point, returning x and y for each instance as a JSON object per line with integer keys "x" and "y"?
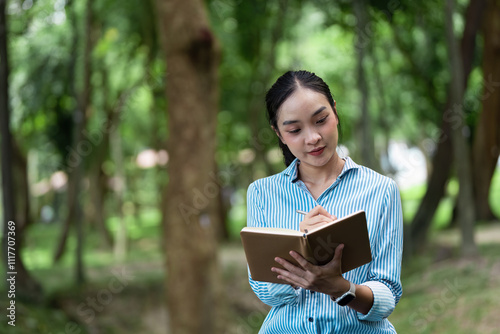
{"x": 263, "y": 244}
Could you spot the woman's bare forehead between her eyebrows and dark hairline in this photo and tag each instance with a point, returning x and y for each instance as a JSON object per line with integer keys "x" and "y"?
{"x": 302, "y": 104}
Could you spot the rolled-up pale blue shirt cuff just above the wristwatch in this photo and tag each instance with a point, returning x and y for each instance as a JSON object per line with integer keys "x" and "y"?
{"x": 383, "y": 302}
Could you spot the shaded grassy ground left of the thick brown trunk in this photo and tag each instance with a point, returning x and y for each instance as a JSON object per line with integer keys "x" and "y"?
{"x": 59, "y": 311}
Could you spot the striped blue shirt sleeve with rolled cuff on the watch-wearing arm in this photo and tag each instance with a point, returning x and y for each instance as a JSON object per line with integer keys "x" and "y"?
{"x": 385, "y": 270}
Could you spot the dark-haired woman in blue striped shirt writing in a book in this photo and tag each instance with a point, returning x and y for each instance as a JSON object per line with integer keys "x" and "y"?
{"x": 319, "y": 299}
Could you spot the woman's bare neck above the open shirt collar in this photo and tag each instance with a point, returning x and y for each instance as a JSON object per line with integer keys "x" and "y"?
{"x": 323, "y": 174}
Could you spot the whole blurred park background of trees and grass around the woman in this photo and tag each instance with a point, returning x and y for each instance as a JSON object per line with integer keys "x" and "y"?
{"x": 131, "y": 130}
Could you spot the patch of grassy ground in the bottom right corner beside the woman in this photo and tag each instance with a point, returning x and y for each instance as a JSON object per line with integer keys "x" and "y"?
{"x": 453, "y": 296}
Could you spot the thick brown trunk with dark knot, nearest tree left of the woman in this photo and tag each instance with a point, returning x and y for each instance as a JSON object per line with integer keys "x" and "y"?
{"x": 190, "y": 199}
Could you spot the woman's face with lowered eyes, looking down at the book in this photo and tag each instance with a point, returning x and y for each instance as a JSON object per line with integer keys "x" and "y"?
{"x": 307, "y": 124}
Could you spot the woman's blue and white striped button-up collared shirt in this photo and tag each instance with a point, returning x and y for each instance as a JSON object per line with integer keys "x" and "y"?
{"x": 272, "y": 201}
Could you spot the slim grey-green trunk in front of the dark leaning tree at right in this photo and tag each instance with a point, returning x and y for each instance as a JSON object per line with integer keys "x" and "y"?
{"x": 461, "y": 150}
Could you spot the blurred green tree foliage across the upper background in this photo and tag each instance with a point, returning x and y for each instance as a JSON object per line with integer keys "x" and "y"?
{"x": 260, "y": 40}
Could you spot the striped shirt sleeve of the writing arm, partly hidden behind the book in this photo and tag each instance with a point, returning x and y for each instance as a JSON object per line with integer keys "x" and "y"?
{"x": 272, "y": 294}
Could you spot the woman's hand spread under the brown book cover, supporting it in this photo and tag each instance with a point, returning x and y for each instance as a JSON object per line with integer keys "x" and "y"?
{"x": 326, "y": 279}
